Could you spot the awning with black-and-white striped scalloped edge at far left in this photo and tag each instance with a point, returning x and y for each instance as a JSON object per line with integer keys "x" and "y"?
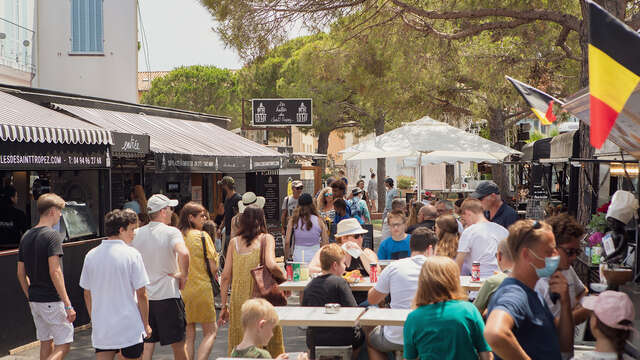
{"x": 26, "y": 122}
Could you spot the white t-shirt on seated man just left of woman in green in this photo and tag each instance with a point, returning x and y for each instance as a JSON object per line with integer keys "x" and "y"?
{"x": 400, "y": 279}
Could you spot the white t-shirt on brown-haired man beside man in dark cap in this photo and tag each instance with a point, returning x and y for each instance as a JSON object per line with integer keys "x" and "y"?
{"x": 481, "y": 242}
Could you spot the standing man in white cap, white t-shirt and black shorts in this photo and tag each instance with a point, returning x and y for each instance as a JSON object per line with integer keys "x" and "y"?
{"x": 166, "y": 259}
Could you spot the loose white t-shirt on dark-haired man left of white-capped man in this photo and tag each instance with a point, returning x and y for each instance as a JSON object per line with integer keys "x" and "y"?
{"x": 112, "y": 272}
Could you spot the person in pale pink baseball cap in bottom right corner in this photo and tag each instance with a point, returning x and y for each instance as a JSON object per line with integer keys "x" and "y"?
{"x": 611, "y": 324}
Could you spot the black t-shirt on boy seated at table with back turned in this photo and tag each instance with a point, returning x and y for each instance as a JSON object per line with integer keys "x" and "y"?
{"x": 326, "y": 289}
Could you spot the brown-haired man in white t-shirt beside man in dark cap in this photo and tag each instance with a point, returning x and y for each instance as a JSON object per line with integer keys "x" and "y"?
{"x": 479, "y": 241}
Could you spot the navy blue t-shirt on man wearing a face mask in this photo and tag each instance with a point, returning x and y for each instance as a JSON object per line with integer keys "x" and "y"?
{"x": 533, "y": 322}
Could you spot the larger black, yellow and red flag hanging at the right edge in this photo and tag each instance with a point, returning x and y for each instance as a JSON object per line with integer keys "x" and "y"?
{"x": 614, "y": 70}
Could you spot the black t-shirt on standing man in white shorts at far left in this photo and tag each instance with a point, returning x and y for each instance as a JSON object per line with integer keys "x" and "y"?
{"x": 36, "y": 246}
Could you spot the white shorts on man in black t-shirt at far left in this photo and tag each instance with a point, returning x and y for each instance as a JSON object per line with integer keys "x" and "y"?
{"x": 51, "y": 322}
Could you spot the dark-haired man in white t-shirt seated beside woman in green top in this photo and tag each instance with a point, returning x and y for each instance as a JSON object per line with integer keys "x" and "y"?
{"x": 400, "y": 280}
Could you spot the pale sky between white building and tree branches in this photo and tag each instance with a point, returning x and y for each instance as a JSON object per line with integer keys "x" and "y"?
{"x": 179, "y": 33}
